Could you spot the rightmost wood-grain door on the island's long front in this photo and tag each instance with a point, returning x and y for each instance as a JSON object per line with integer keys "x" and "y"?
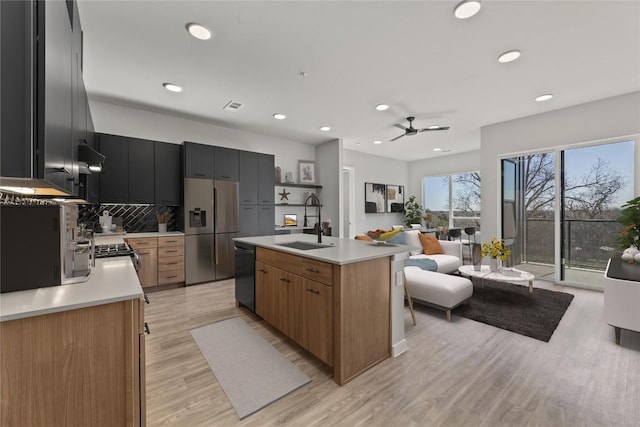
{"x": 317, "y": 319}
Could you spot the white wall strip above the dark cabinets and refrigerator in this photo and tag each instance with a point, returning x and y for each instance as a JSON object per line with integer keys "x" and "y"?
{"x": 127, "y": 121}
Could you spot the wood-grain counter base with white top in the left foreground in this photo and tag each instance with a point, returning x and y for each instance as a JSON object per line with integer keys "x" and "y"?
{"x": 74, "y": 354}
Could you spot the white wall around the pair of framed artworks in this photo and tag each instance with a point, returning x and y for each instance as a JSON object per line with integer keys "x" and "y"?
{"x": 380, "y": 170}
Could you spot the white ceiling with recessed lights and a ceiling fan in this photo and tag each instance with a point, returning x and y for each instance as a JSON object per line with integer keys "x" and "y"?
{"x": 413, "y": 55}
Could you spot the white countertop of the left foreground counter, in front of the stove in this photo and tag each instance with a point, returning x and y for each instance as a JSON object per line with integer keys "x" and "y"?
{"x": 111, "y": 280}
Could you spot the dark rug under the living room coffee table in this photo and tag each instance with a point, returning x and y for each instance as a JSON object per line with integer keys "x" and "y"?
{"x": 508, "y": 306}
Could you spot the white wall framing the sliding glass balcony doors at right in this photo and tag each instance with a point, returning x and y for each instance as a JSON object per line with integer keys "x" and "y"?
{"x": 605, "y": 119}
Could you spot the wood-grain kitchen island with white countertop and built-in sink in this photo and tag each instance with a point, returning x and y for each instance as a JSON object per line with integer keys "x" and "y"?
{"x": 343, "y": 302}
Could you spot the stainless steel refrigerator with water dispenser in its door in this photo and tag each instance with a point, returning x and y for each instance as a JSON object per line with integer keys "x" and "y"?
{"x": 210, "y": 224}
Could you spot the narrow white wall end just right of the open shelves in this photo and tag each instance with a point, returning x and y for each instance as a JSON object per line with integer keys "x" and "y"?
{"x": 329, "y": 155}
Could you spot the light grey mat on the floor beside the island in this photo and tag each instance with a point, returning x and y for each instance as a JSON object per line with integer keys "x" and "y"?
{"x": 251, "y": 372}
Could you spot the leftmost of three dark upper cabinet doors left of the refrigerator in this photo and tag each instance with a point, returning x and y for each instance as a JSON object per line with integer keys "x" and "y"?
{"x": 114, "y": 180}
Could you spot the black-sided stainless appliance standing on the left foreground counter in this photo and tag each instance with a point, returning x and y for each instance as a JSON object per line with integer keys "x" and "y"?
{"x": 39, "y": 247}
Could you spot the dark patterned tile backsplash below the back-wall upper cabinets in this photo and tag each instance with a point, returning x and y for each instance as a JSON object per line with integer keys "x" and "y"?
{"x": 135, "y": 218}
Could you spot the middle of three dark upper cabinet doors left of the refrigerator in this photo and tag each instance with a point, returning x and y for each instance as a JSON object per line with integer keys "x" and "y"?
{"x": 141, "y": 171}
